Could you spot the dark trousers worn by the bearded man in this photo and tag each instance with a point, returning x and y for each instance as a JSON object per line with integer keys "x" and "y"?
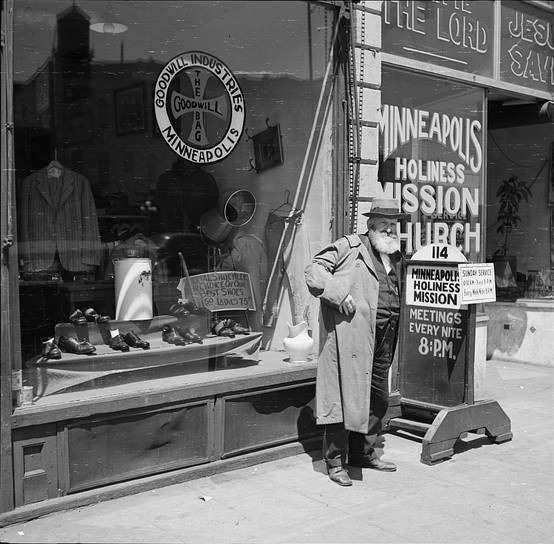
{"x": 337, "y": 441}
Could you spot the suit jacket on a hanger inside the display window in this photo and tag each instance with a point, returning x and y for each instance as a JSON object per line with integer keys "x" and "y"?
{"x": 58, "y": 218}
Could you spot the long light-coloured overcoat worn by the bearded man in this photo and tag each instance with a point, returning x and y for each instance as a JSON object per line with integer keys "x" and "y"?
{"x": 343, "y": 383}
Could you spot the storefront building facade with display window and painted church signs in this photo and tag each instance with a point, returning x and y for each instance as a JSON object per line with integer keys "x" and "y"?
{"x": 168, "y": 168}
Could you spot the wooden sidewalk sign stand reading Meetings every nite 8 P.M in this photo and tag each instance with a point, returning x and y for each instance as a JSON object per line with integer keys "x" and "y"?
{"x": 434, "y": 382}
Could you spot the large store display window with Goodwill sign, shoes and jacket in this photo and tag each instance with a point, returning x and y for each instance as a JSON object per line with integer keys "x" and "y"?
{"x": 166, "y": 154}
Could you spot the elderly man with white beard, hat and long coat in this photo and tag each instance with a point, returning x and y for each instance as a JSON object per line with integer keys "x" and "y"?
{"x": 357, "y": 280}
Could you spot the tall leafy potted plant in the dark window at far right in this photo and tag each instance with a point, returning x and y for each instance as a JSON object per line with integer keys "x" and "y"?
{"x": 510, "y": 194}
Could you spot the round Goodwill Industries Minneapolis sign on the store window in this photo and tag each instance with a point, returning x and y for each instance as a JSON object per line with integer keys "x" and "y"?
{"x": 199, "y": 107}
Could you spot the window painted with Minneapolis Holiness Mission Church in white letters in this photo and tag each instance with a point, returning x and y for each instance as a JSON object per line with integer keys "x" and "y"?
{"x": 432, "y": 159}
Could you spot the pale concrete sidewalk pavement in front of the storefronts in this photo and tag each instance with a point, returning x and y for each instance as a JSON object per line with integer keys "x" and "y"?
{"x": 485, "y": 493}
